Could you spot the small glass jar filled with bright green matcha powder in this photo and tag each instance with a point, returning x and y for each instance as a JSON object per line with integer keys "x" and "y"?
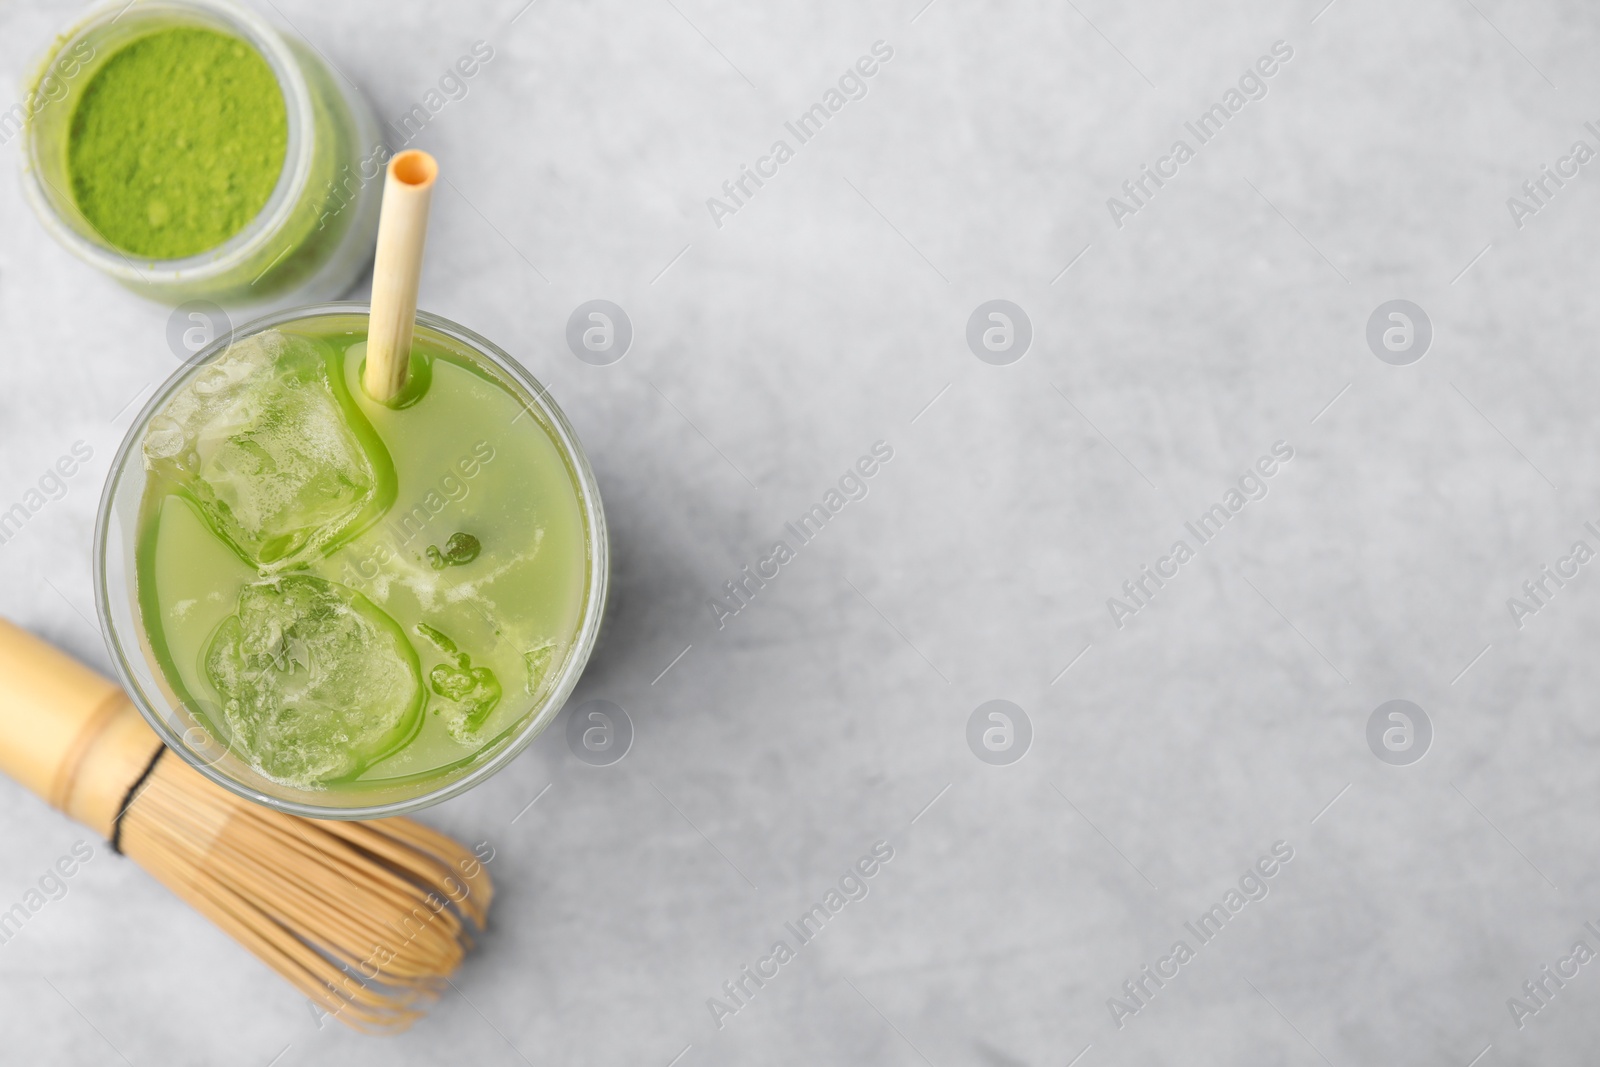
{"x": 193, "y": 153}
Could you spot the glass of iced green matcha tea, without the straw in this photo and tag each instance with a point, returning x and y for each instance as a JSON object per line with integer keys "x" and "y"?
{"x": 338, "y": 607}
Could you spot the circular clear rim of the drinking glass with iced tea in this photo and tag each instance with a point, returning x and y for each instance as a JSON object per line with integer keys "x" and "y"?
{"x": 540, "y": 717}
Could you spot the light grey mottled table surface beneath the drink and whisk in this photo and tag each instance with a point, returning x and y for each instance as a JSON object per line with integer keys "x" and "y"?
{"x": 831, "y": 714}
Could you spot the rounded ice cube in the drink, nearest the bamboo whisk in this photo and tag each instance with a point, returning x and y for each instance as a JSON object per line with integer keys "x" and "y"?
{"x": 316, "y": 681}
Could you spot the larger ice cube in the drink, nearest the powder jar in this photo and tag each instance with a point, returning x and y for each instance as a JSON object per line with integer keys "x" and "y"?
{"x": 262, "y": 444}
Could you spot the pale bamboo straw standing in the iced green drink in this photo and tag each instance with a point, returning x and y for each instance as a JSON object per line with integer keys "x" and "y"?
{"x": 398, "y": 270}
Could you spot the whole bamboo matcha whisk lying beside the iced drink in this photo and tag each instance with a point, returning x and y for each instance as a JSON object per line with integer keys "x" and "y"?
{"x": 366, "y": 919}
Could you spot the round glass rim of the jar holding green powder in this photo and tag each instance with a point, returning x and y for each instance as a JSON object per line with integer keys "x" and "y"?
{"x": 274, "y": 214}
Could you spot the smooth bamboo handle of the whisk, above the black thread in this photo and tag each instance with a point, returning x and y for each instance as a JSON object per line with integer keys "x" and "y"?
{"x": 68, "y": 733}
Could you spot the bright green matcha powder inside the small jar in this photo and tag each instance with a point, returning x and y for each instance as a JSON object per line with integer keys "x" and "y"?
{"x": 177, "y": 143}
